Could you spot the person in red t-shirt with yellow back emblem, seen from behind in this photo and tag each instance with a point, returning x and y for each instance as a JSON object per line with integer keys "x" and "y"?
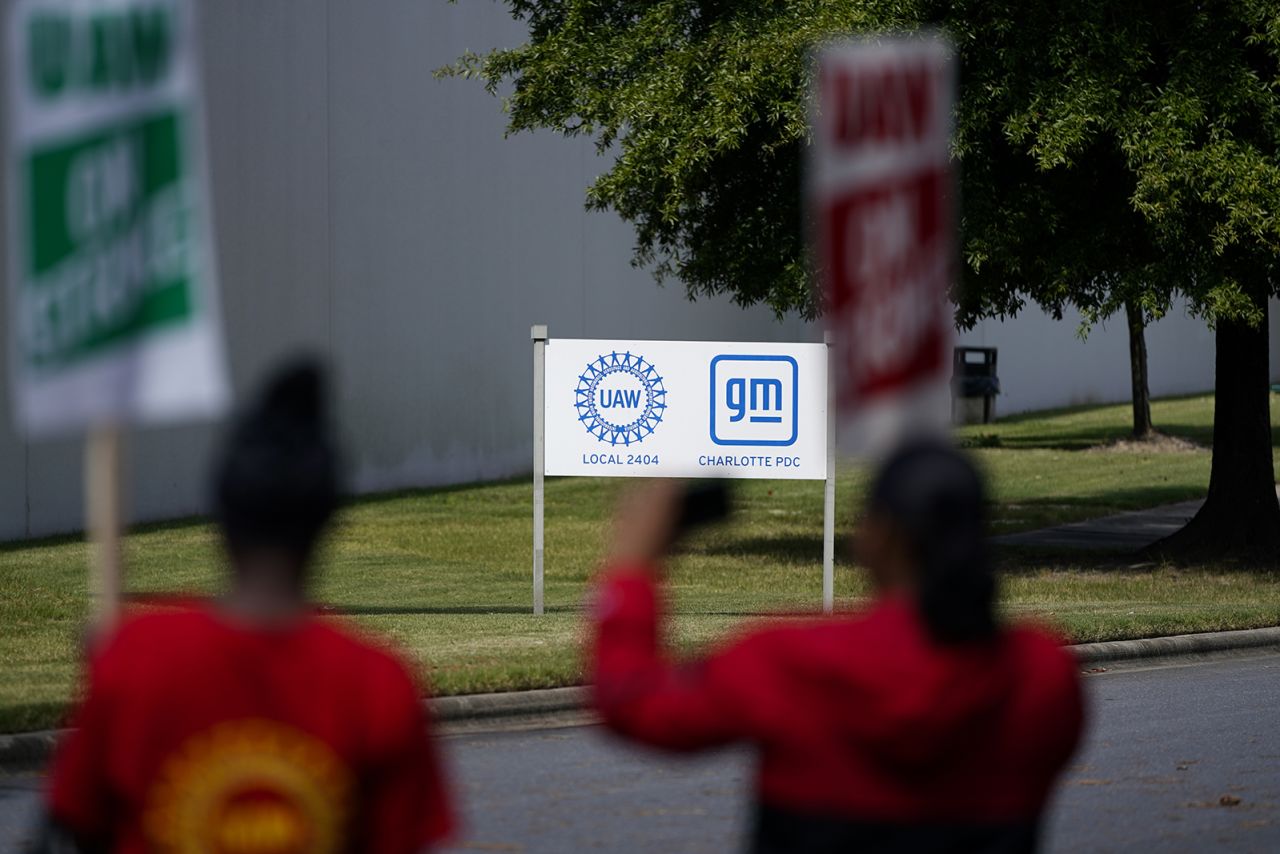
{"x": 252, "y": 727}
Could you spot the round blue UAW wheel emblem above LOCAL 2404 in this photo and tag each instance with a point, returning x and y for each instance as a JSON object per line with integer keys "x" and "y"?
{"x": 620, "y": 399}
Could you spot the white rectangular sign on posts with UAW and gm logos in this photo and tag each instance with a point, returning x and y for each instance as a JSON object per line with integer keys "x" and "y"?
{"x": 682, "y": 409}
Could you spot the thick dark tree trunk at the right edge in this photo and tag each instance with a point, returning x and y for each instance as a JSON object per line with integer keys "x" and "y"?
{"x": 1241, "y": 517}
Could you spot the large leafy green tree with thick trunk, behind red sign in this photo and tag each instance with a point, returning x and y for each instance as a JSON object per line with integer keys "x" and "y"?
{"x": 1110, "y": 154}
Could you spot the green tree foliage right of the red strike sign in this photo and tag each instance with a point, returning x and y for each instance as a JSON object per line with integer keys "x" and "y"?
{"x": 1116, "y": 152}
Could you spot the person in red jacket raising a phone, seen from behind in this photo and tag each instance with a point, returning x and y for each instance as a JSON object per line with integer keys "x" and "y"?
{"x": 917, "y": 724}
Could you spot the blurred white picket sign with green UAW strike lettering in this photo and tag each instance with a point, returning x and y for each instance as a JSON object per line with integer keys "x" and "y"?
{"x": 113, "y": 313}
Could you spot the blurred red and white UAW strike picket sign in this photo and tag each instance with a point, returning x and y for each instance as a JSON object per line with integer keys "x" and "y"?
{"x": 881, "y": 203}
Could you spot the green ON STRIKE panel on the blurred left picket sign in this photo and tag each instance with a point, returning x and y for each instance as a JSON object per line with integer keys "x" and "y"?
{"x": 111, "y": 250}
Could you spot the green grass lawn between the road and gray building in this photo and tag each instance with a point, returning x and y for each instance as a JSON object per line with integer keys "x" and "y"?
{"x": 447, "y": 573}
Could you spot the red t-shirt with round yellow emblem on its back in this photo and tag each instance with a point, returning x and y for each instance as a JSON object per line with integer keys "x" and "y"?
{"x": 199, "y": 734}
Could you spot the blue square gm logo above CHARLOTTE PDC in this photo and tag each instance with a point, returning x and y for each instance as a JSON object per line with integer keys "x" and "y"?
{"x": 755, "y": 400}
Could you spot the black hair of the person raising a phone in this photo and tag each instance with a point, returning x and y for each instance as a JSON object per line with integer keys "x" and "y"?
{"x": 935, "y": 496}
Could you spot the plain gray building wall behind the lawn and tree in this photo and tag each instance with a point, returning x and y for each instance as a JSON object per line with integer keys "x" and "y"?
{"x": 376, "y": 216}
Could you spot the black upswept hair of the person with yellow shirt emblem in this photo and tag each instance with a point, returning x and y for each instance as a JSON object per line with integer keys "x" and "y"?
{"x": 277, "y": 479}
